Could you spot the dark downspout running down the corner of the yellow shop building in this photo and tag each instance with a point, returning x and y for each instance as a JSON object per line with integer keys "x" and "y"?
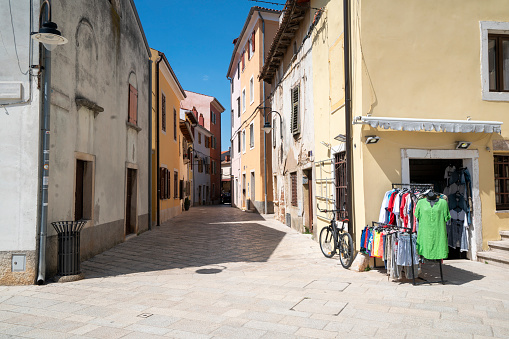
{"x": 348, "y": 115}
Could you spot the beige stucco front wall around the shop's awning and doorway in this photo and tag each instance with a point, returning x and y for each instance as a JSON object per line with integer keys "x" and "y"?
{"x": 418, "y": 59}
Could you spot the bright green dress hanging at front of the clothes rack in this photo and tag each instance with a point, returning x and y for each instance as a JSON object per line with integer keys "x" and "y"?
{"x": 432, "y": 233}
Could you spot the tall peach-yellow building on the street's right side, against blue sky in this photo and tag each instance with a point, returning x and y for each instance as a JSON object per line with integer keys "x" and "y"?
{"x": 253, "y": 172}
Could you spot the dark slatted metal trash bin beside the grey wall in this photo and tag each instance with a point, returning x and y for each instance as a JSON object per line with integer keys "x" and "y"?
{"x": 68, "y": 246}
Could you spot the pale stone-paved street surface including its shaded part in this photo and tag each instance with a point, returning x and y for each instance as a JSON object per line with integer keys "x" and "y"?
{"x": 217, "y": 272}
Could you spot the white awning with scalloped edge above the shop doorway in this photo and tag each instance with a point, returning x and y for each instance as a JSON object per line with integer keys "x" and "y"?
{"x": 439, "y": 125}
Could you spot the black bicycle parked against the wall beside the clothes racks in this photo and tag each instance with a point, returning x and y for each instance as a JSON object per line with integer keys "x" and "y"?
{"x": 334, "y": 239}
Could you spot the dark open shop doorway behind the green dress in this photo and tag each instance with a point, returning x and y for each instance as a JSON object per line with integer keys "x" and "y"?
{"x": 438, "y": 172}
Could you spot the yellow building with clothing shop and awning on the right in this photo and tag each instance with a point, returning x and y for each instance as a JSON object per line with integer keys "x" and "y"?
{"x": 428, "y": 92}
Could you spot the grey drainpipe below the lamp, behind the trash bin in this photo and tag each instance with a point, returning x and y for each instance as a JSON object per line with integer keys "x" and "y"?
{"x": 44, "y": 164}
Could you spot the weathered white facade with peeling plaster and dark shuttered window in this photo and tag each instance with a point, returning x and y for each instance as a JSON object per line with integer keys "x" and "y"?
{"x": 295, "y": 150}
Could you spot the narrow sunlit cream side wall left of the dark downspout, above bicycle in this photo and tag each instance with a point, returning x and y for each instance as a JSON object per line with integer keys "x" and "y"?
{"x": 328, "y": 92}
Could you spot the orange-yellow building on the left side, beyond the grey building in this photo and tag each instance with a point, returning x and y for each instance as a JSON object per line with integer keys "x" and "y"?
{"x": 168, "y": 173}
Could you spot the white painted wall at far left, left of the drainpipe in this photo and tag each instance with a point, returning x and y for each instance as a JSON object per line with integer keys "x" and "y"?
{"x": 19, "y": 130}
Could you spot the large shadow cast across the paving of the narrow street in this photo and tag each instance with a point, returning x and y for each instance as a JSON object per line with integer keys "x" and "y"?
{"x": 195, "y": 238}
